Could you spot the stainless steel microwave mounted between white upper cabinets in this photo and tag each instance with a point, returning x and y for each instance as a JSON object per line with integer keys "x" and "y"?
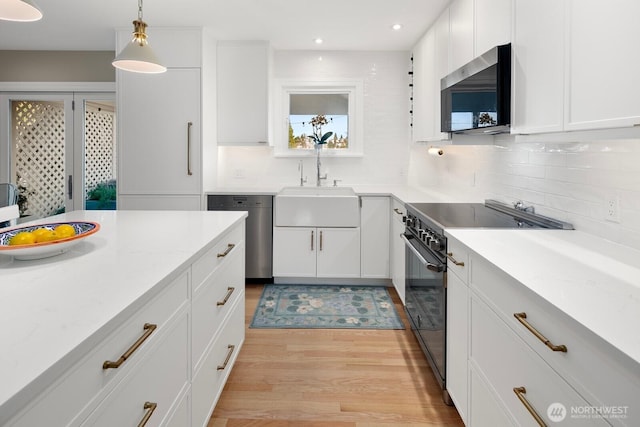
{"x": 476, "y": 98}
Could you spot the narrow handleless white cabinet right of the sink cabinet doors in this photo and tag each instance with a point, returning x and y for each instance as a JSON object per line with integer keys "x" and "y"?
{"x": 374, "y": 237}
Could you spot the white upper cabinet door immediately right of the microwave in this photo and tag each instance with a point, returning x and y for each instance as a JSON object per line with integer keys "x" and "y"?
{"x": 538, "y": 67}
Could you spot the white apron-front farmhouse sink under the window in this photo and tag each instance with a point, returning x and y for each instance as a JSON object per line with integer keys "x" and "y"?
{"x": 317, "y": 207}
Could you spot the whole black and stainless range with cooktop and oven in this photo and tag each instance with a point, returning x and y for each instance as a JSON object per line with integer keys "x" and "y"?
{"x": 426, "y": 264}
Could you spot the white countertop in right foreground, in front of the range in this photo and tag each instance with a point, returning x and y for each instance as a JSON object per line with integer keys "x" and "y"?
{"x": 594, "y": 281}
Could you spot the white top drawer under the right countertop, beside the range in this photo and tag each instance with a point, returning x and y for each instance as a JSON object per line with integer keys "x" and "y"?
{"x": 617, "y": 383}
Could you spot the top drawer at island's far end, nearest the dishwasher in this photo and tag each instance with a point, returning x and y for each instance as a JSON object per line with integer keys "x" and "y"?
{"x": 216, "y": 256}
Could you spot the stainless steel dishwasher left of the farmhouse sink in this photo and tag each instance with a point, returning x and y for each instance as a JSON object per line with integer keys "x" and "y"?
{"x": 259, "y": 226}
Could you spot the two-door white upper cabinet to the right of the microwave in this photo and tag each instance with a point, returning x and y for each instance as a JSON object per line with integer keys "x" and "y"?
{"x": 580, "y": 72}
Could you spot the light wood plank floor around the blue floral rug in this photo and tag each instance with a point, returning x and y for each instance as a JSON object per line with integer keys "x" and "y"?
{"x": 330, "y": 377}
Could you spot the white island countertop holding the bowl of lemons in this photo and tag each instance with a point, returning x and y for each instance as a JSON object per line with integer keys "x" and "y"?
{"x": 52, "y": 310}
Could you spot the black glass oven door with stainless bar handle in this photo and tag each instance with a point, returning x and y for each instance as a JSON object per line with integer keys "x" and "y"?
{"x": 426, "y": 302}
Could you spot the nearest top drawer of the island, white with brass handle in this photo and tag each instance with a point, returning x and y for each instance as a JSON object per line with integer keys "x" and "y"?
{"x": 88, "y": 380}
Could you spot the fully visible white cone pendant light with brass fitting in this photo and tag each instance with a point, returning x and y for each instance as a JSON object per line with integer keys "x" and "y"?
{"x": 138, "y": 56}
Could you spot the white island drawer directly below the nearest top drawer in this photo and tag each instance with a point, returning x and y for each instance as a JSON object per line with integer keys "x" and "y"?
{"x": 159, "y": 378}
